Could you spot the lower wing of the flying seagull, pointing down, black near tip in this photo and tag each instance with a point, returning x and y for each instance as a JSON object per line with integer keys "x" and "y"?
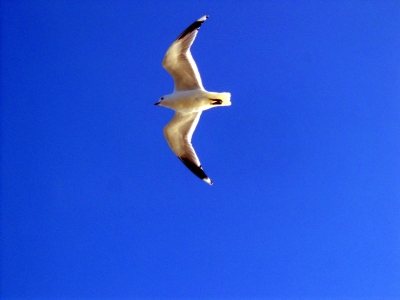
{"x": 179, "y": 132}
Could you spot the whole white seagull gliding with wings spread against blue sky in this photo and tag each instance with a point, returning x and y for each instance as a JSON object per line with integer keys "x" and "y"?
{"x": 188, "y": 100}
